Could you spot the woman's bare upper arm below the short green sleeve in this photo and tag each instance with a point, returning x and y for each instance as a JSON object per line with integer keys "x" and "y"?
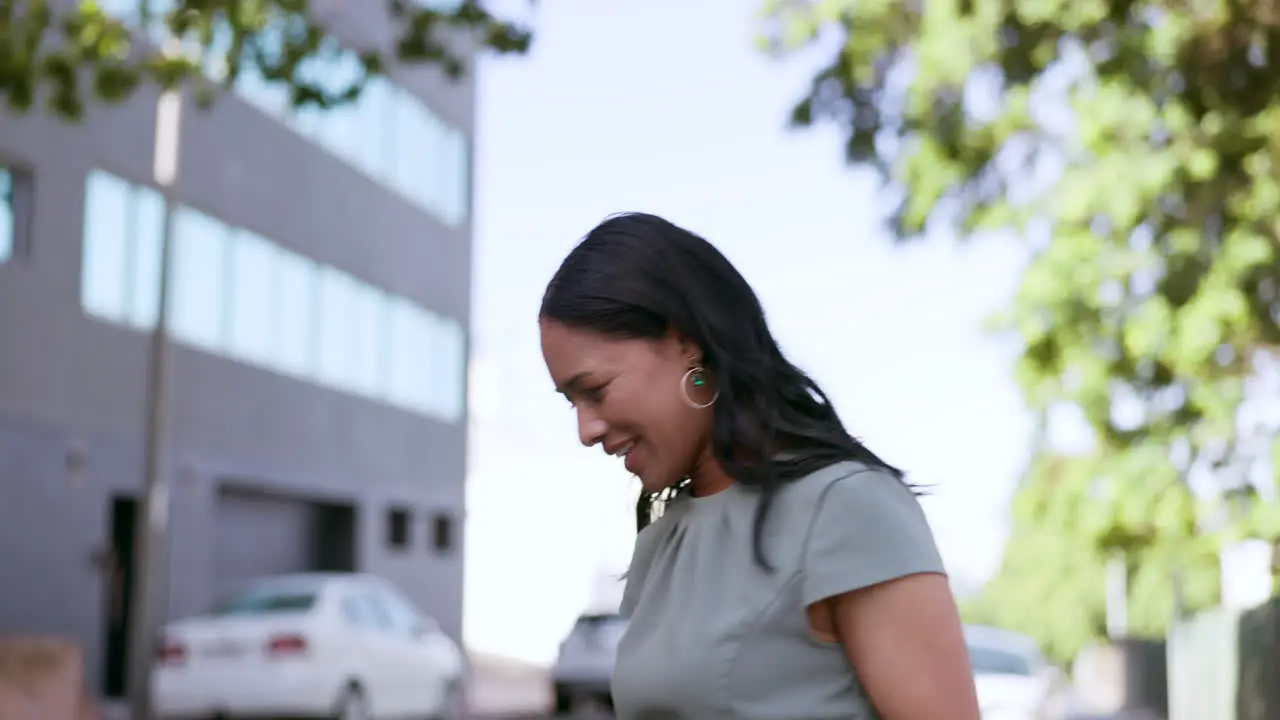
{"x": 906, "y": 640}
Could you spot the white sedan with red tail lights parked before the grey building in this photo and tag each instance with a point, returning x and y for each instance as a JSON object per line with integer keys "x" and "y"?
{"x": 333, "y": 646}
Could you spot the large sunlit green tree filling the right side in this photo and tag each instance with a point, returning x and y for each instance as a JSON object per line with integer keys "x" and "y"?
{"x": 1136, "y": 151}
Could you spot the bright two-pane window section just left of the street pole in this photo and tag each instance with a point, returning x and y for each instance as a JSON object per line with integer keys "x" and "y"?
{"x": 121, "y": 254}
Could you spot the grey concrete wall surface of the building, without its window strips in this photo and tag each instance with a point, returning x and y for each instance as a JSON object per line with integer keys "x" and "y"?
{"x": 72, "y": 388}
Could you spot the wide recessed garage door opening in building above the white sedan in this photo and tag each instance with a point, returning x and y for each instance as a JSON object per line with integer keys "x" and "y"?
{"x": 260, "y": 535}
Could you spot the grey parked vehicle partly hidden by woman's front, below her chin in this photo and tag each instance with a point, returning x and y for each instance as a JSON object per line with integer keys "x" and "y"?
{"x": 586, "y": 663}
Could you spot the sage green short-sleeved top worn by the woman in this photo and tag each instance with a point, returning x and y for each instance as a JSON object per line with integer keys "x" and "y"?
{"x": 714, "y": 636}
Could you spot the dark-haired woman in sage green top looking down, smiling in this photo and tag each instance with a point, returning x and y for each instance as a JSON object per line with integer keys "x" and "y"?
{"x": 792, "y": 575}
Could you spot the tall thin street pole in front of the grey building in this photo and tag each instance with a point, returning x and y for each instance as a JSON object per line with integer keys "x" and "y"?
{"x": 150, "y": 568}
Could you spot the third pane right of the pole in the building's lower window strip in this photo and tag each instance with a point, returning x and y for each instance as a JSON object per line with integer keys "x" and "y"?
{"x": 296, "y": 298}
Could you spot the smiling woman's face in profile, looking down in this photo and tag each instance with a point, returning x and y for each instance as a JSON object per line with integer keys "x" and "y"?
{"x": 628, "y": 399}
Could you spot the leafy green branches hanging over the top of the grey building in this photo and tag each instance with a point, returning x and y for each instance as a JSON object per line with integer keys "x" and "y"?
{"x": 54, "y": 51}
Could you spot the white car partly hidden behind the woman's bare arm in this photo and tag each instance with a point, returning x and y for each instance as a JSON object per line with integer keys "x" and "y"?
{"x": 1013, "y": 680}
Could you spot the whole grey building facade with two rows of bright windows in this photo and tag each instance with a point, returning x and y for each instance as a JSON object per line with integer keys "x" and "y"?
{"x": 319, "y": 302}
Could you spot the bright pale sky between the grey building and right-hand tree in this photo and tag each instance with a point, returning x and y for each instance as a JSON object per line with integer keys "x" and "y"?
{"x": 666, "y": 107}
